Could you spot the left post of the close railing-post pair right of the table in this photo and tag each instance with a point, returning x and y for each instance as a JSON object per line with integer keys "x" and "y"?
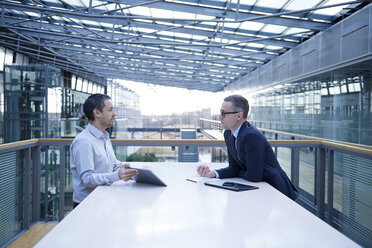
{"x": 320, "y": 182}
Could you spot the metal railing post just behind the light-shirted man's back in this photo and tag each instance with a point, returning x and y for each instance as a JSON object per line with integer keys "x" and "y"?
{"x": 61, "y": 200}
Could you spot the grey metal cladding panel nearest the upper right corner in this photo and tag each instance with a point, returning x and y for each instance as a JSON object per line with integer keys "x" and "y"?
{"x": 355, "y": 35}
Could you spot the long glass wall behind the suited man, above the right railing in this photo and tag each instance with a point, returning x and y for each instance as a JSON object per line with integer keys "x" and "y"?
{"x": 336, "y": 106}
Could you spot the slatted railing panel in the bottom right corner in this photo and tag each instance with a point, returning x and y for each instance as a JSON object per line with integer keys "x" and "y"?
{"x": 353, "y": 197}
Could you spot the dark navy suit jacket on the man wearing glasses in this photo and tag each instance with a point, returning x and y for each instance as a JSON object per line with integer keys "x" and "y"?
{"x": 255, "y": 160}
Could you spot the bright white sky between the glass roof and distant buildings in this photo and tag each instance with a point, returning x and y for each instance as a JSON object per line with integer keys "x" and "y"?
{"x": 162, "y": 100}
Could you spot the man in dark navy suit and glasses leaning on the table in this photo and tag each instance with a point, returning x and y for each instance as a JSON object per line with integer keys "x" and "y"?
{"x": 250, "y": 154}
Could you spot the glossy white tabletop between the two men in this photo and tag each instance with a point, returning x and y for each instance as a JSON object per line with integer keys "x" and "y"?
{"x": 187, "y": 214}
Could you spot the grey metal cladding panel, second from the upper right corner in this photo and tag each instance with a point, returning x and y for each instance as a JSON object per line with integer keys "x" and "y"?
{"x": 330, "y": 43}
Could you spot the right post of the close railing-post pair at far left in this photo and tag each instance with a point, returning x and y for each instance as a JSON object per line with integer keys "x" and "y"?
{"x": 36, "y": 184}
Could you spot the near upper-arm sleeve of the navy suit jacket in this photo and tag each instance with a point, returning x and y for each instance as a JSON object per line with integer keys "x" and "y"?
{"x": 254, "y": 152}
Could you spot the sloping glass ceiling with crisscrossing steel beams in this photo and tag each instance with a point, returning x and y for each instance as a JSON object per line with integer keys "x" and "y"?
{"x": 193, "y": 44}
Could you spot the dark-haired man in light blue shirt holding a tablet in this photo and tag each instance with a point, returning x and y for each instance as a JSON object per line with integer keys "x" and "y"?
{"x": 92, "y": 158}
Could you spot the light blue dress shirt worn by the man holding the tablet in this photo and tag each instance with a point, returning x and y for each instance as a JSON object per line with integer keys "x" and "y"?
{"x": 92, "y": 161}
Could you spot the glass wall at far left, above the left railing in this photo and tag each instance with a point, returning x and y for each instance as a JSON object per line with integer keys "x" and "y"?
{"x": 31, "y": 105}
